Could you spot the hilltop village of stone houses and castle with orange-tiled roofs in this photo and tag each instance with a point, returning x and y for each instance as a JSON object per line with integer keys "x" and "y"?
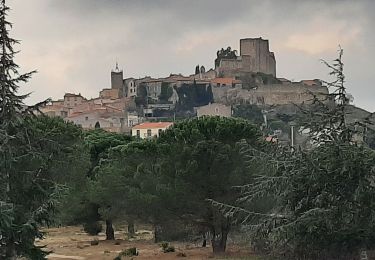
{"x": 247, "y": 78}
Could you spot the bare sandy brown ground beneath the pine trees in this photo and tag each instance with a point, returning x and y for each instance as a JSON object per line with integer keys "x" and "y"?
{"x": 73, "y": 243}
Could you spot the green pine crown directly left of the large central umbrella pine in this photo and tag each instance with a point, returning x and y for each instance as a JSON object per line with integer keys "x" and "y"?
{"x": 125, "y": 183}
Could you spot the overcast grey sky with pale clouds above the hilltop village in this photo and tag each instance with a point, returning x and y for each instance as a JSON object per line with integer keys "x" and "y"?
{"x": 74, "y": 44}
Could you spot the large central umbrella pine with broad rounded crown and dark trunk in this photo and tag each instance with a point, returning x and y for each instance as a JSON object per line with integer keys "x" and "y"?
{"x": 201, "y": 161}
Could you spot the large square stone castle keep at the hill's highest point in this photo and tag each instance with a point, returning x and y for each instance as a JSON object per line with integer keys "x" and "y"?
{"x": 256, "y": 56}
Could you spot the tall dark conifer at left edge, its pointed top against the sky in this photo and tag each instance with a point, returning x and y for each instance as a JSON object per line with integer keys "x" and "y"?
{"x": 26, "y": 194}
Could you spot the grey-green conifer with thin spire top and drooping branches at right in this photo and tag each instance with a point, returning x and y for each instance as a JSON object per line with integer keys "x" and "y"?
{"x": 323, "y": 206}
